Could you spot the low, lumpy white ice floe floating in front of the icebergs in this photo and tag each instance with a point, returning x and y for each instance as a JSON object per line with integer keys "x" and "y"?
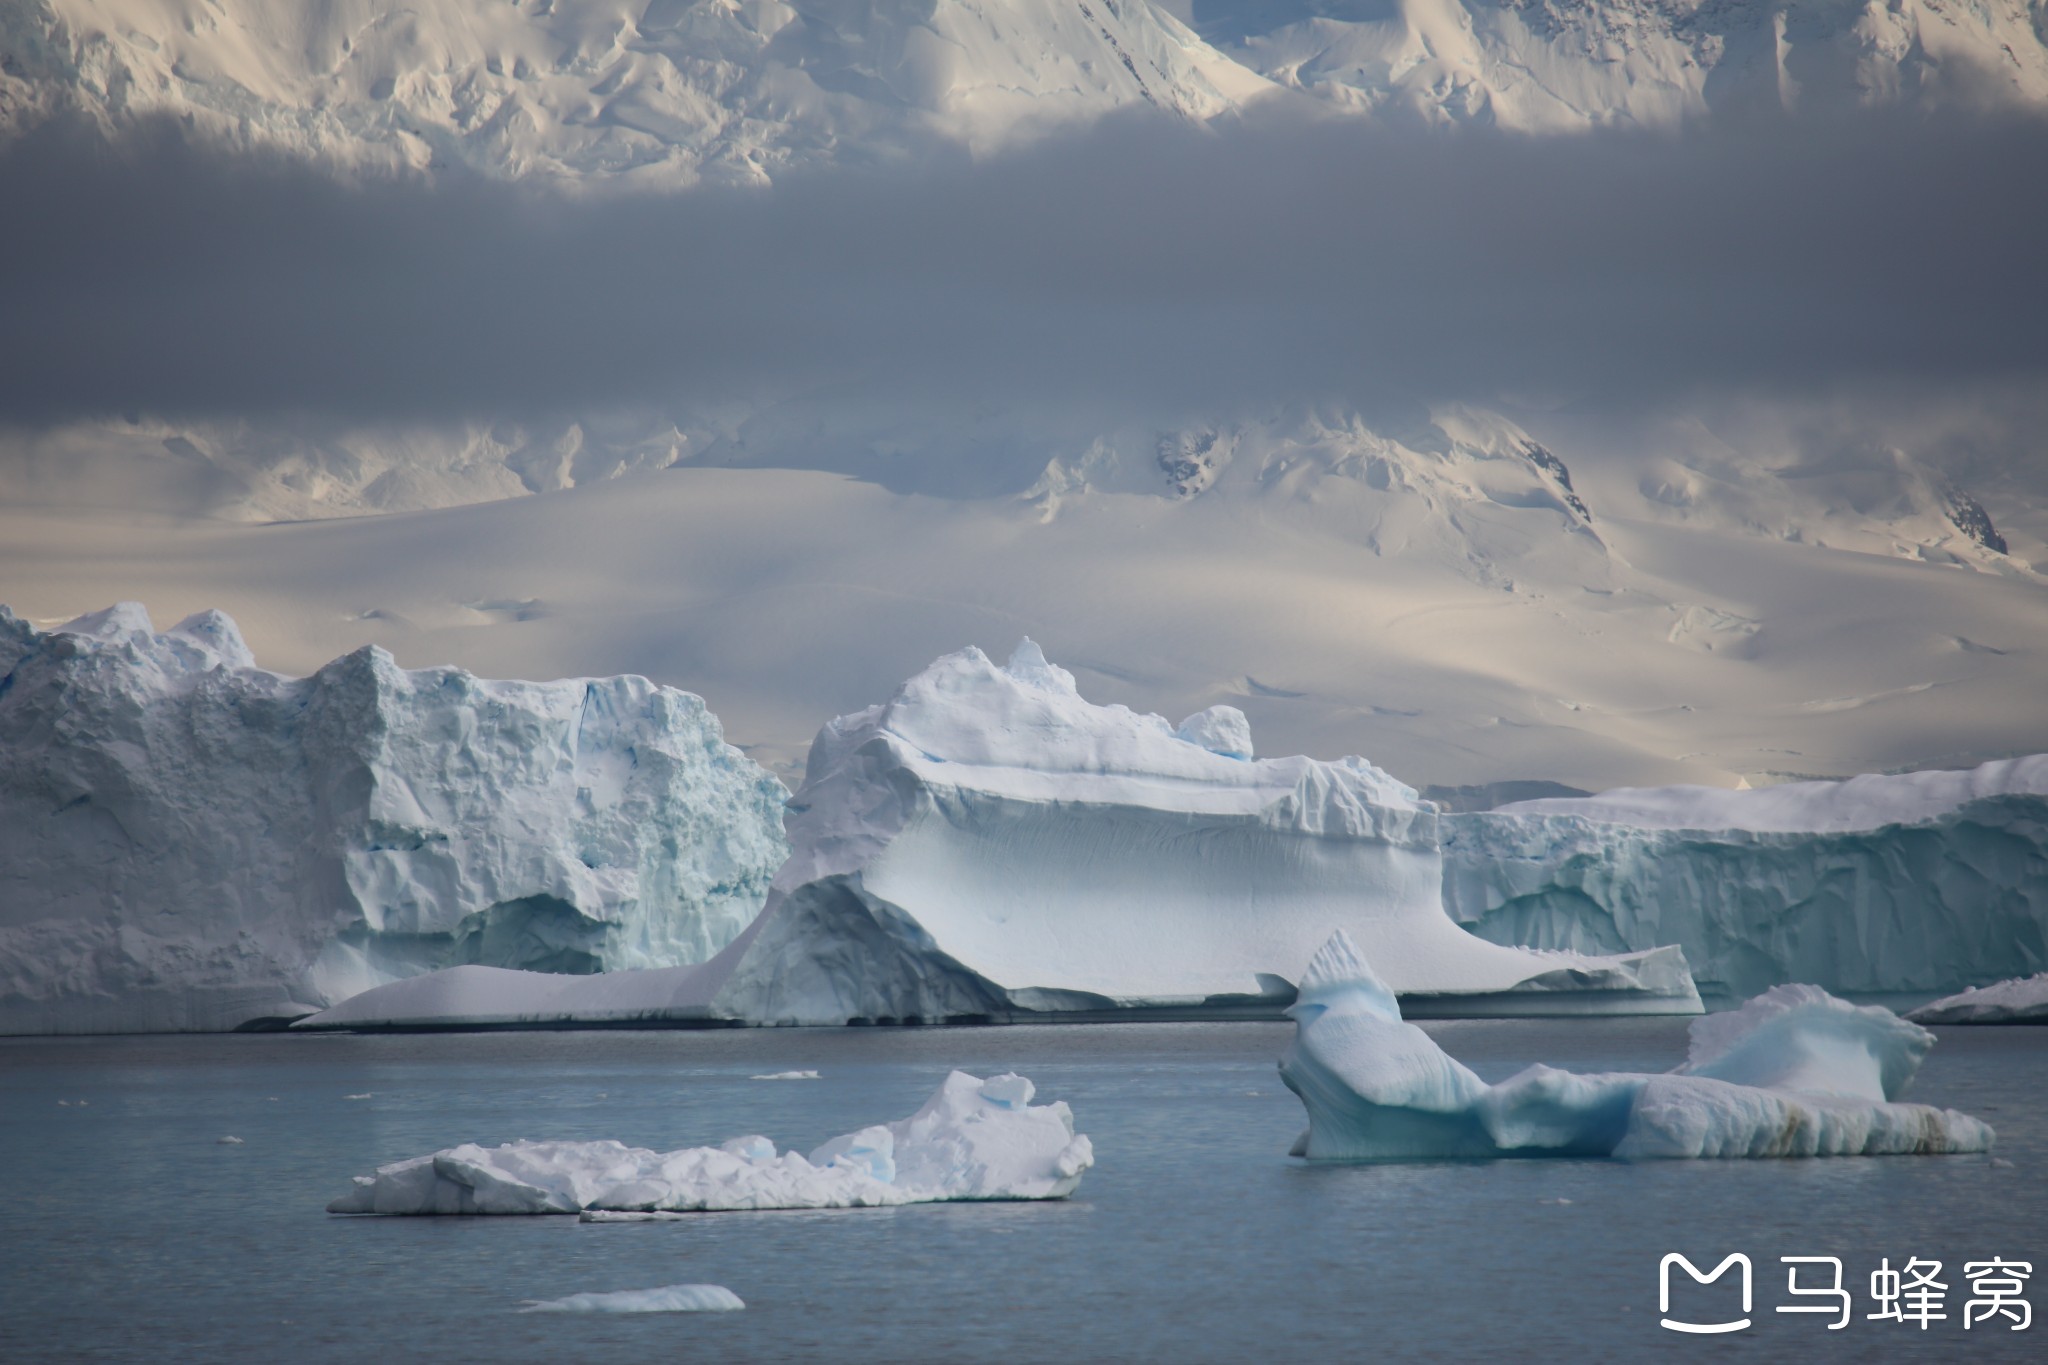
{"x": 972, "y": 1141}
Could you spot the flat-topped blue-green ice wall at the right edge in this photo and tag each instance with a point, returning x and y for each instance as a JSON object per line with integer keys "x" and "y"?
{"x": 1924, "y": 881}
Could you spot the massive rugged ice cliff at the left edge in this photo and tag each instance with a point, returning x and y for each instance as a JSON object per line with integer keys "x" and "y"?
{"x": 191, "y": 842}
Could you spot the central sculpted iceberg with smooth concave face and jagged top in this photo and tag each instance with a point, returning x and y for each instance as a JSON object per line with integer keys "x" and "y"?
{"x": 988, "y": 844}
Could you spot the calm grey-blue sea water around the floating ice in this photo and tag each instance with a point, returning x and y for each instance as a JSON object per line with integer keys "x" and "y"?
{"x": 132, "y": 1235}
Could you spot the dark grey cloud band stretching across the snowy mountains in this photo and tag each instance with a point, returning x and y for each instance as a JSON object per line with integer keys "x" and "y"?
{"x": 1140, "y": 261}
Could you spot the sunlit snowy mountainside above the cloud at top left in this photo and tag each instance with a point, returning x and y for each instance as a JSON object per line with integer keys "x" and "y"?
{"x": 652, "y": 93}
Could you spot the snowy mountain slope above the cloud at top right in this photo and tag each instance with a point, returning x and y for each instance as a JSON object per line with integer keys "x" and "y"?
{"x": 1555, "y": 67}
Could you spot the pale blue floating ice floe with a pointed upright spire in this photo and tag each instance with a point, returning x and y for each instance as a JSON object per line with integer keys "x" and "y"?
{"x": 1793, "y": 1073}
